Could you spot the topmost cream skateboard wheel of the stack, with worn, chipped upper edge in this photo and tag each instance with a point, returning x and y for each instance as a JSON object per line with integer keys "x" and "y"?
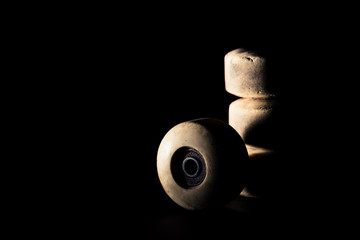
{"x": 246, "y": 74}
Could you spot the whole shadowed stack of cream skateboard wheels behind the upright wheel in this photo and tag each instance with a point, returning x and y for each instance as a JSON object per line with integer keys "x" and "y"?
{"x": 255, "y": 115}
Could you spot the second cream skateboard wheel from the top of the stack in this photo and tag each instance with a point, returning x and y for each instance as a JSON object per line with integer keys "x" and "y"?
{"x": 257, "y": 121}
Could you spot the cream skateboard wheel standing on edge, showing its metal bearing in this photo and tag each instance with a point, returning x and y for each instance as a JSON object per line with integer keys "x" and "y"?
{"x": 202, "y": 163}
